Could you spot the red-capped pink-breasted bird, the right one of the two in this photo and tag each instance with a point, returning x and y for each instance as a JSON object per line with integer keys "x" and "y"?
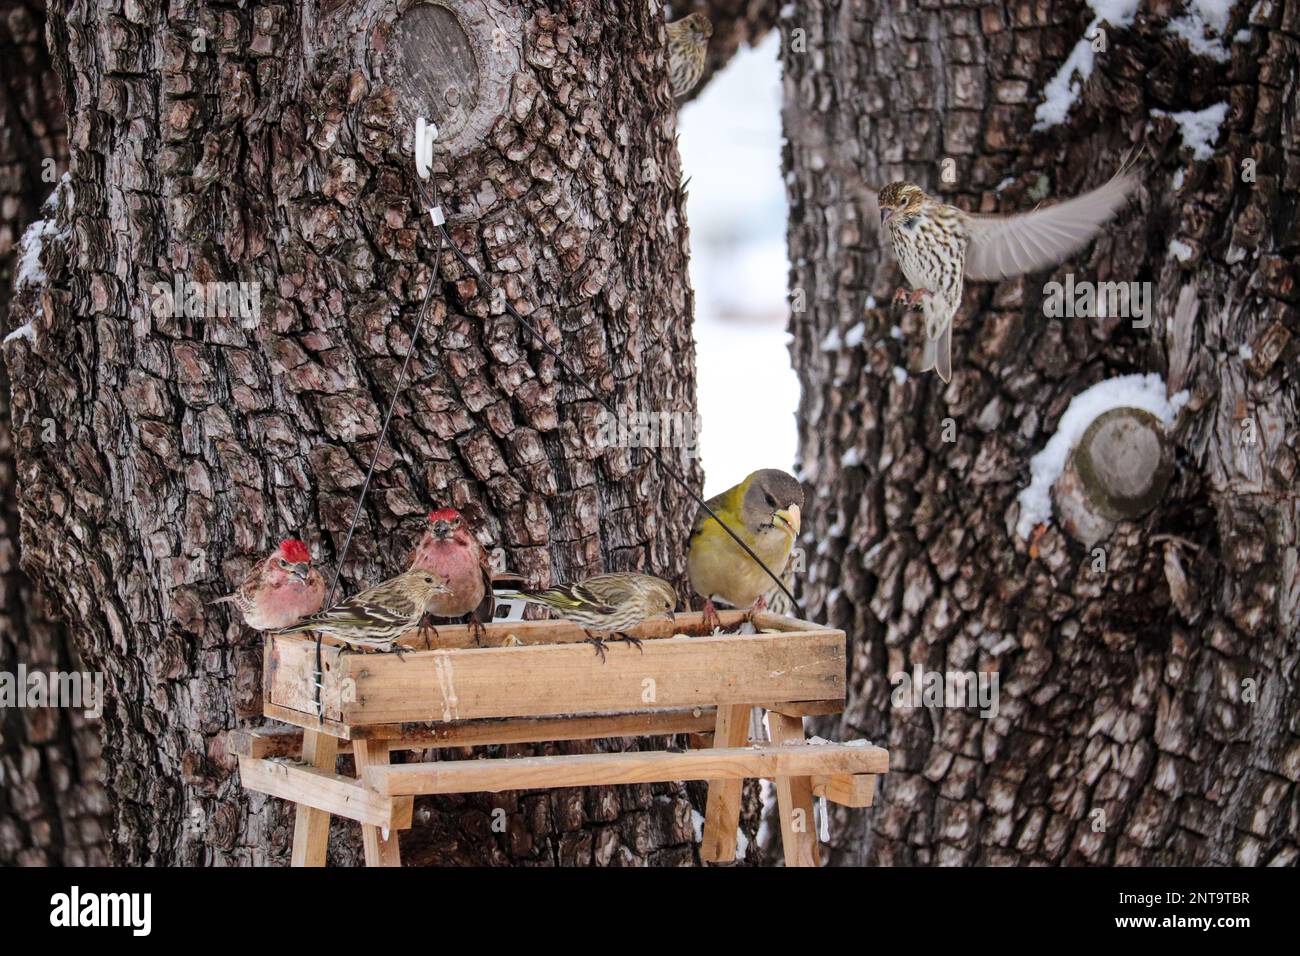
{"x": 450, "y": 551}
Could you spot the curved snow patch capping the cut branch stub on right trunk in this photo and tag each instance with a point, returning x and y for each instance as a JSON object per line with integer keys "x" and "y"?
{"x": 1146, "y": 392}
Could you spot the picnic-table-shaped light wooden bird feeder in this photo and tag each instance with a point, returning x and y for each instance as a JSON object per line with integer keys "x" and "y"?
{"x": 538, "y": 681}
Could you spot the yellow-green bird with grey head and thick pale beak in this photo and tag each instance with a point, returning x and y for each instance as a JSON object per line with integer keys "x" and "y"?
{"x": 764, "y": 511}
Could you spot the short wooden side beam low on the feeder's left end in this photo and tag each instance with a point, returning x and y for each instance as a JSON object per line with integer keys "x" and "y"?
{"x": 324, "y": 793}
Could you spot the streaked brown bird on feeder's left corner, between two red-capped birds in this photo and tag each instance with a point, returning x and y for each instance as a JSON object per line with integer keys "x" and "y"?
{"x": 376, "y": 617}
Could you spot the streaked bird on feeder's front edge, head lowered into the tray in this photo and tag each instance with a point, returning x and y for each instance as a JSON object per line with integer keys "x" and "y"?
{"x": 609, "y": 603}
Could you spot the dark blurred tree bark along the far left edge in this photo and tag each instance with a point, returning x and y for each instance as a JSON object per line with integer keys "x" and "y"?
{"x": 53, "y": 806}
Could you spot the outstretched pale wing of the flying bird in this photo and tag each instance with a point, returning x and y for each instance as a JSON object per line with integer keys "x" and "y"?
{"x": 1003, "y": 246}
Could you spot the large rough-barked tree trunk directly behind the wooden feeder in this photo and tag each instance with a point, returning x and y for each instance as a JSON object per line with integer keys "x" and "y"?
{"x": 272, "y": 146}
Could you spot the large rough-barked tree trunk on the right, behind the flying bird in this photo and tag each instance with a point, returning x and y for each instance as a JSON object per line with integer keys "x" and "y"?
{"x": 1150, "y": 712}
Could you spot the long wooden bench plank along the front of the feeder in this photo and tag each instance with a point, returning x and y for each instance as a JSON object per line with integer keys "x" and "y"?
{"x": 583, "y": 771}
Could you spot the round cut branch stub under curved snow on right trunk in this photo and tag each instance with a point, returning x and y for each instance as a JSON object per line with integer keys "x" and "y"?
{"x": 1119, "y": 471}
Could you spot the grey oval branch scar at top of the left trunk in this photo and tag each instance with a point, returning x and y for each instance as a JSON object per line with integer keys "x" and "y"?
{"x": 452, "y": 62}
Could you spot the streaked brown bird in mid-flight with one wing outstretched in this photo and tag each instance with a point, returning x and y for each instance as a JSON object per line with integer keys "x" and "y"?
{"x": 939, "y": 245}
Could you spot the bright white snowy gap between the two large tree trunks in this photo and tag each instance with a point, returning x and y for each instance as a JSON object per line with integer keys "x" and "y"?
{"x": 731, "y": 150}
